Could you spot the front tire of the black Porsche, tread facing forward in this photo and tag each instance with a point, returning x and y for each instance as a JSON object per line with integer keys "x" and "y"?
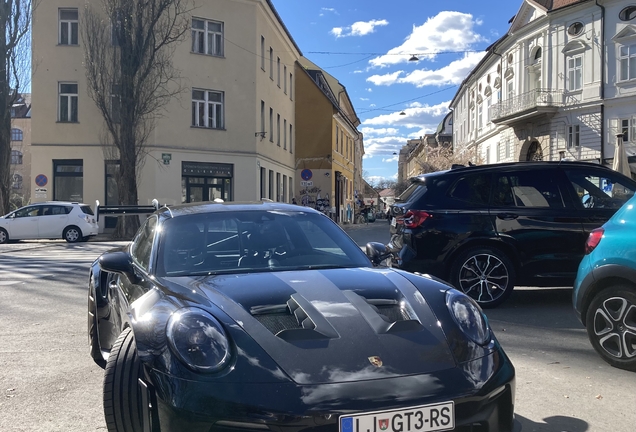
{"x": 122, "y": 398}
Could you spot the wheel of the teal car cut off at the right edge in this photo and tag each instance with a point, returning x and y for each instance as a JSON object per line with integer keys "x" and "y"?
{"x": 611, "y": 326}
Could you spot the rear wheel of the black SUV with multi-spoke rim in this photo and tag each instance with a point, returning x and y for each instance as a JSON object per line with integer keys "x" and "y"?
{"x": 485, "y": 274}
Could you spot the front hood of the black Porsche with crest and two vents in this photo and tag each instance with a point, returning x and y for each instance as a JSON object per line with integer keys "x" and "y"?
{"x": 339, "y": 325}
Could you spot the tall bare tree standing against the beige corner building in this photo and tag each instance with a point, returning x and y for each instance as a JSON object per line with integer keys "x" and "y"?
{"x": 129, "y": 45}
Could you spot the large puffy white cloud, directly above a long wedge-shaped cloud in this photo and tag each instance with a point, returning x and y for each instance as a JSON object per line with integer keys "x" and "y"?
{"x": 447, "y": 31}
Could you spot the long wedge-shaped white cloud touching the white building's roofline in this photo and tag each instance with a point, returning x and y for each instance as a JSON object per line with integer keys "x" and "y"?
{"x": 453, "y": 73}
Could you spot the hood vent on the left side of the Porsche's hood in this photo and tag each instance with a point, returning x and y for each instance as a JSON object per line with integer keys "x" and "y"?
{"x": 298, "y": 319}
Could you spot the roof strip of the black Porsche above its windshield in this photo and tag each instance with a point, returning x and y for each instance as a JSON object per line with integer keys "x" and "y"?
{"x": 211, "y": 207}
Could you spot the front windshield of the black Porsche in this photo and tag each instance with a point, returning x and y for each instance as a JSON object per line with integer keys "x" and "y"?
{"x": 253, "y": 241}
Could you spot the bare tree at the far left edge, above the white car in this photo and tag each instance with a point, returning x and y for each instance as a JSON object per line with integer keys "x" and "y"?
{"x": 15, "y": 45}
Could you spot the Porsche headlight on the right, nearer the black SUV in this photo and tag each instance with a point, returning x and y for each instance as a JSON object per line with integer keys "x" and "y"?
{"x": 468, "y": 316}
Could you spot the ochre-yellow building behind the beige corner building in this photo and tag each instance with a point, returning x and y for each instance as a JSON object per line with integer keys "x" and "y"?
{"x": 329, "y": 146}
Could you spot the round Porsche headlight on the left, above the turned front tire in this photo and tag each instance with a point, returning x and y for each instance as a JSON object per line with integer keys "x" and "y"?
{"x": 198, "y": 340}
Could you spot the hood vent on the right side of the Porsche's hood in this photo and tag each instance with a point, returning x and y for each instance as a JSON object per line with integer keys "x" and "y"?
{"x": 386, "y": 315}
